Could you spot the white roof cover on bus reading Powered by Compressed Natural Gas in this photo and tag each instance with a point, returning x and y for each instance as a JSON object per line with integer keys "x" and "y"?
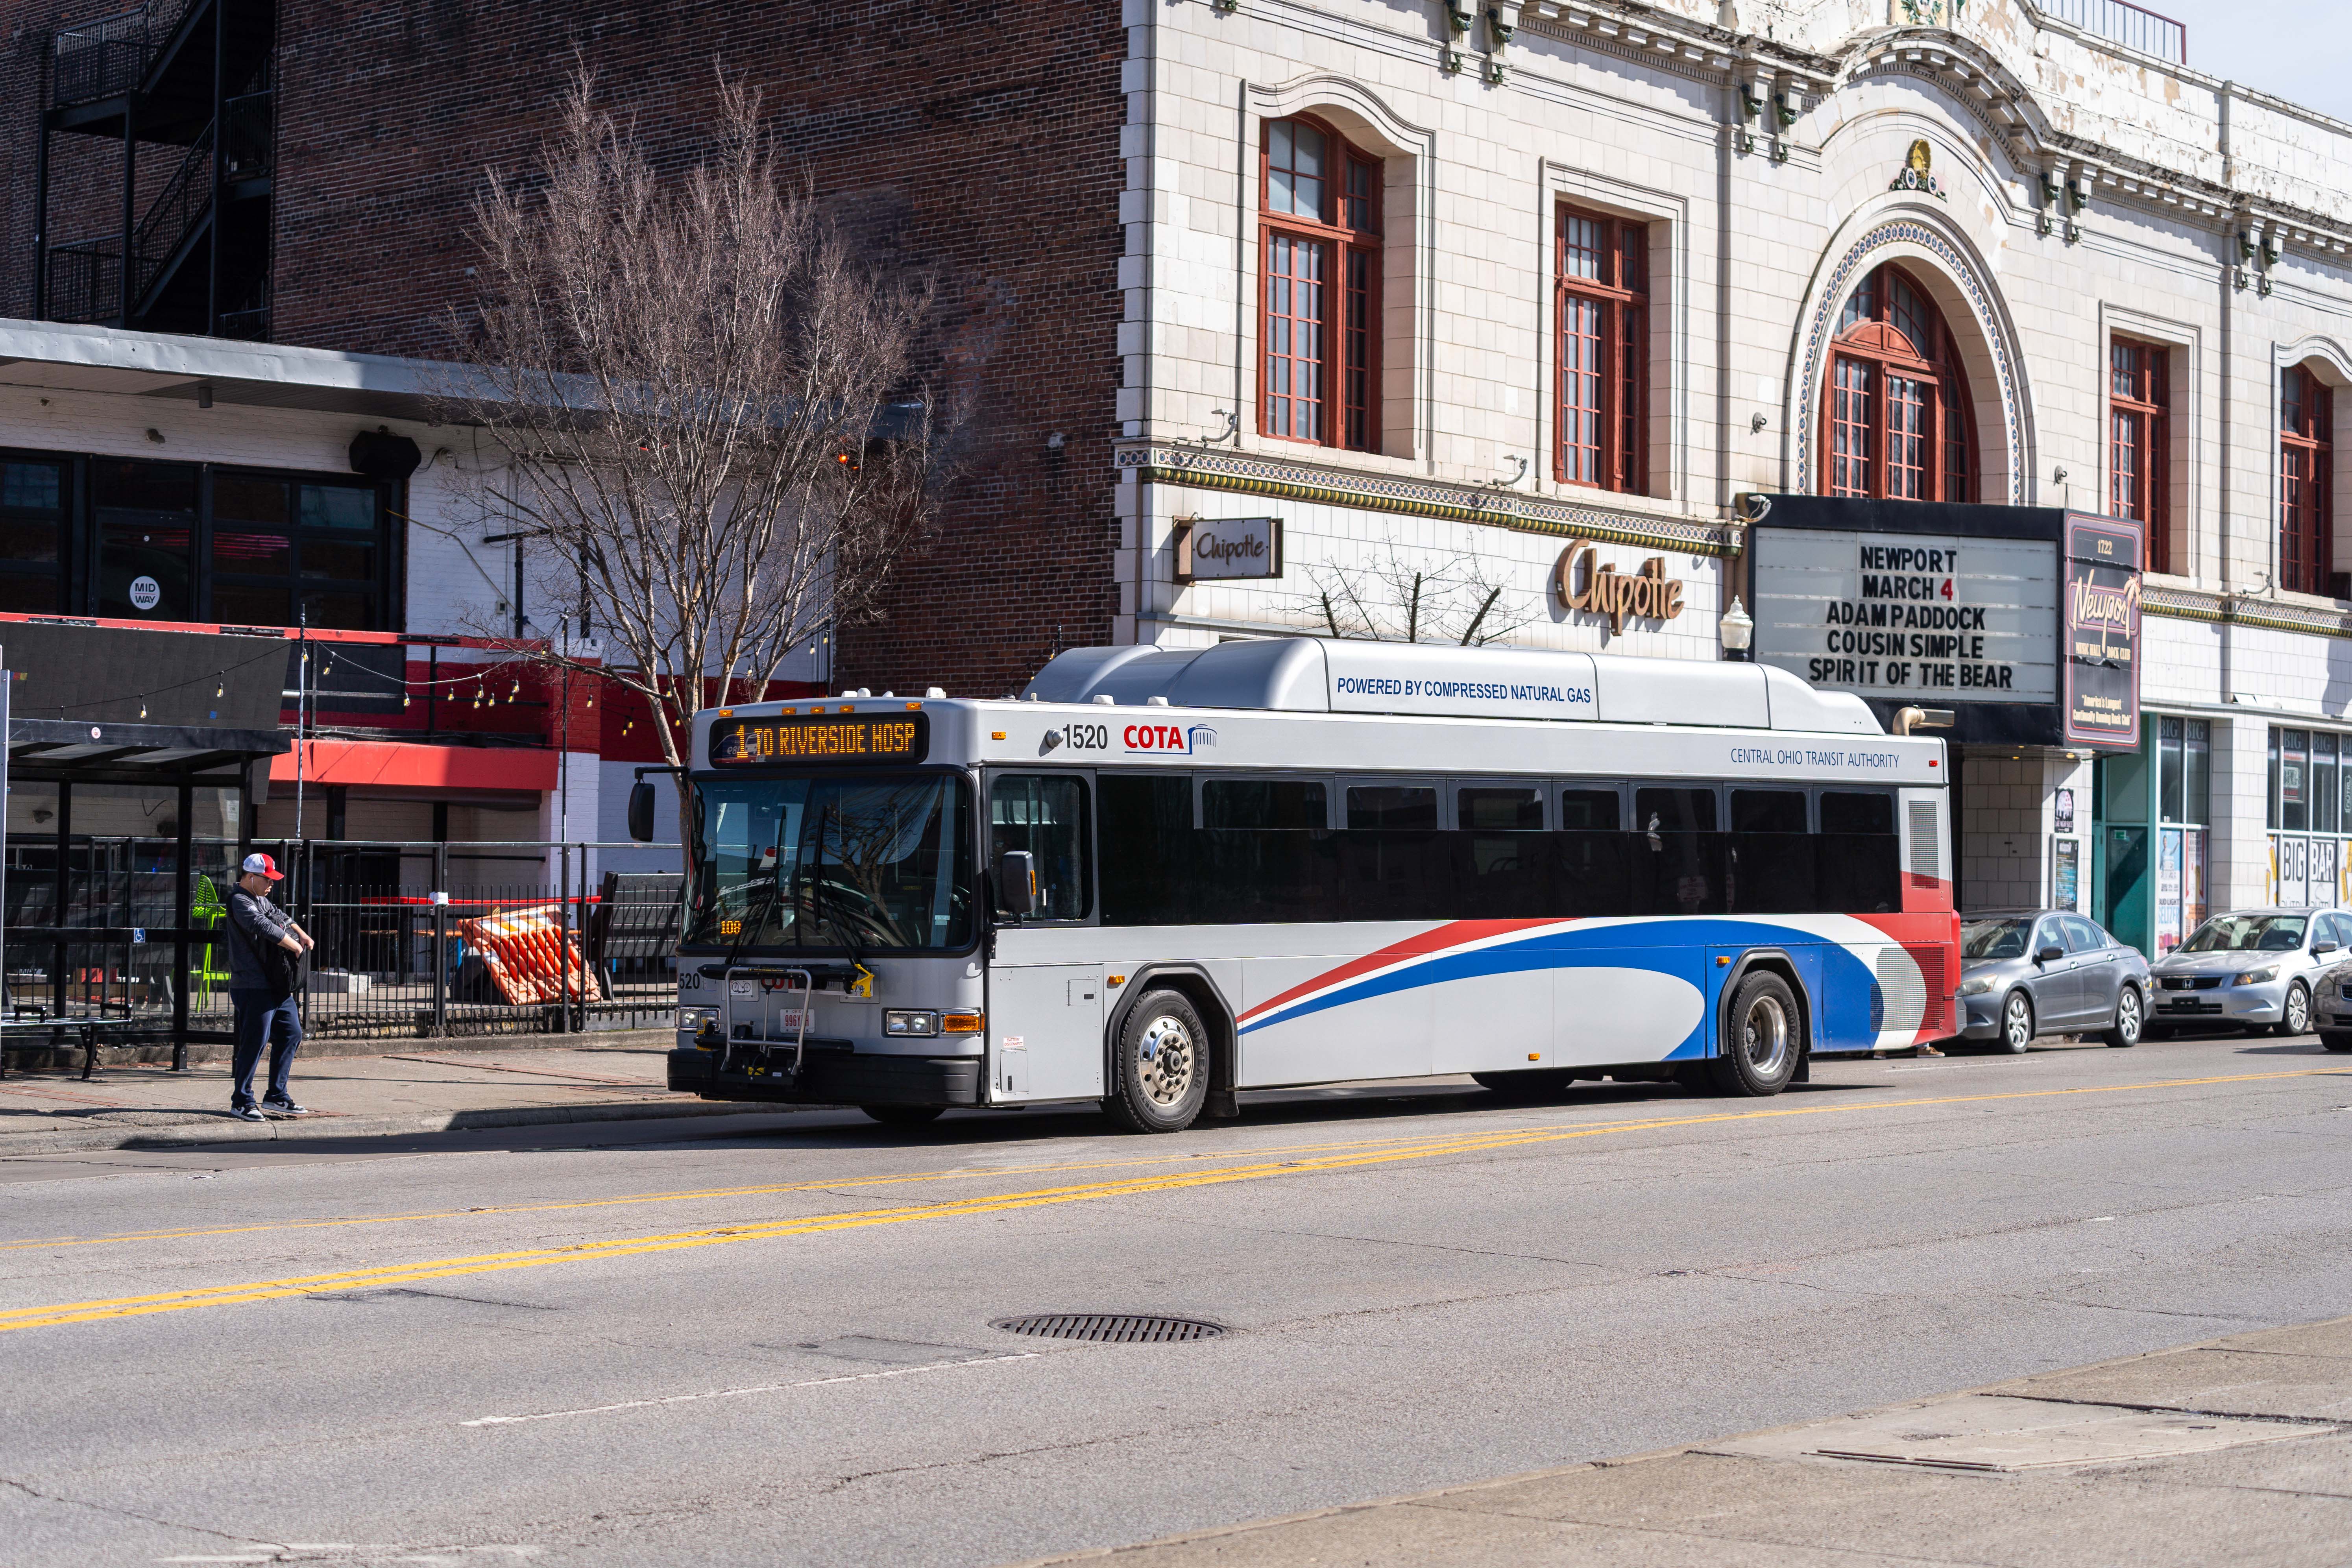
{"x": 1417, "y": 678}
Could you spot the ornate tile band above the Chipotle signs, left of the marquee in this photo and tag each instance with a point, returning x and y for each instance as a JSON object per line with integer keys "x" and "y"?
{"x": 1502, "y": 509}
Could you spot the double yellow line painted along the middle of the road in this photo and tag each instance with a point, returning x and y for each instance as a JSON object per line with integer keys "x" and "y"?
{"x": 1302, "y": 1162}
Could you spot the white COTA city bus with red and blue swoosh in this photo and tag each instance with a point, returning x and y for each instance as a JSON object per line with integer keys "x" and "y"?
{"x": 1165, "y": 876}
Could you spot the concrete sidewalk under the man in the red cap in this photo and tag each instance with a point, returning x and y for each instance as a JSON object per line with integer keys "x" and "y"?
{"x": 415, "y": 1087}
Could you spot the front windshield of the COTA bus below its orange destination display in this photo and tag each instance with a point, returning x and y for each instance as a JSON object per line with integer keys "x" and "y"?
{"x": 878, "y": 864}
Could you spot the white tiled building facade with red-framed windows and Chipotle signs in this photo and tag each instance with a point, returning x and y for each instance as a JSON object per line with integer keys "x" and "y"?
{"x": 2054, "y": 192}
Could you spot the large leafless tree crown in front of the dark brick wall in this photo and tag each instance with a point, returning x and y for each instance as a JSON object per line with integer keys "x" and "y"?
{"x": 707, "y": 410}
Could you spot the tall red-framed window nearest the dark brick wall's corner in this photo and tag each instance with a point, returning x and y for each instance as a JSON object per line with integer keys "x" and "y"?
{"x": 1321, "y": 260}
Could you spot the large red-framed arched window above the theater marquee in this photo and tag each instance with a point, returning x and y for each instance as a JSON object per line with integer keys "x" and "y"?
{"x": 1899, "y": 406}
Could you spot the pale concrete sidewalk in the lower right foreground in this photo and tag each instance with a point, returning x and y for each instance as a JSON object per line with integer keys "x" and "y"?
{"x": 2233, "y": 1452}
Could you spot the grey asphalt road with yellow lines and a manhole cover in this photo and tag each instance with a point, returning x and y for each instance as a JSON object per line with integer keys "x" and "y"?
{"x": 773, "y": 1343}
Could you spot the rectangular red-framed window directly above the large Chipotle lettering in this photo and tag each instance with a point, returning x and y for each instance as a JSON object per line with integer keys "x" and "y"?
{"x": 1601, "y": 309}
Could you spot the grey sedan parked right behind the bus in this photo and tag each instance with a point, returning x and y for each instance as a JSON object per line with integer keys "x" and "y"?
{"x": 2047, "y": 972}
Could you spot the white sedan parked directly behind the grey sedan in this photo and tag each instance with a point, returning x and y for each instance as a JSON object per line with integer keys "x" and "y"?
{"x": 2257, "y": 970}
